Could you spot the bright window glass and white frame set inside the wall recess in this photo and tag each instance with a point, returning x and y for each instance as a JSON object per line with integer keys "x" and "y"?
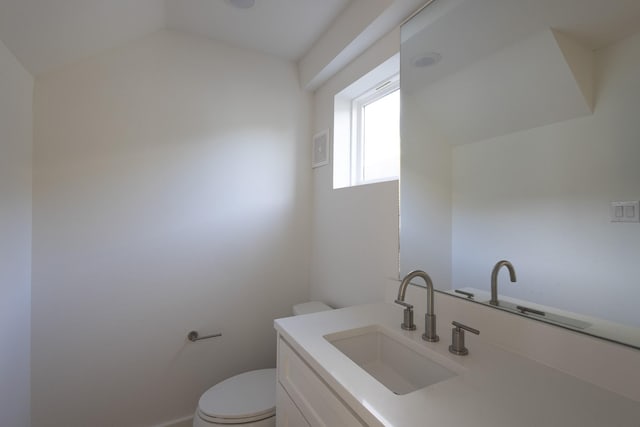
{"x": 375, "y": 143}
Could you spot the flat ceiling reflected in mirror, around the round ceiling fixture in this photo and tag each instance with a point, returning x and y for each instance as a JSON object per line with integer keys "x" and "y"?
{"x": 451, "y": 27}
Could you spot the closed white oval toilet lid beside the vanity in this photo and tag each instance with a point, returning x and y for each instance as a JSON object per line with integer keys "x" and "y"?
{"x": 245, "y": 395}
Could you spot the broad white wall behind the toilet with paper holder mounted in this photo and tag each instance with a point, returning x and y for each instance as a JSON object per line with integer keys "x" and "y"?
{"x": 171, "y": 193}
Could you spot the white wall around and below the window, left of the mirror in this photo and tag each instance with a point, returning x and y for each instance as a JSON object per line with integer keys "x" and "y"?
{"x": 355, "y": 229}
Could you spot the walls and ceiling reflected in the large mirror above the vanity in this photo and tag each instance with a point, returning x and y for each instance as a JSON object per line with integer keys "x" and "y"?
{"x": 517, "y": 136}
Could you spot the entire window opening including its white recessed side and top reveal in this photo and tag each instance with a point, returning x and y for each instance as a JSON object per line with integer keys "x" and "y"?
{"x": 366, "y": 128}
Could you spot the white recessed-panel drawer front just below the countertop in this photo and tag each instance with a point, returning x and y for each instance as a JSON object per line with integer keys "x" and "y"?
{"x": 319, "y": 405}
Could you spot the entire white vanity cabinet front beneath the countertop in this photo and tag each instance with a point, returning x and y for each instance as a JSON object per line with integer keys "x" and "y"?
{"x": 303, "y": 399}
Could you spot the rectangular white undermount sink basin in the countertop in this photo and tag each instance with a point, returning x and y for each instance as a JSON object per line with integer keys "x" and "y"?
{"x": 391, "y": 362}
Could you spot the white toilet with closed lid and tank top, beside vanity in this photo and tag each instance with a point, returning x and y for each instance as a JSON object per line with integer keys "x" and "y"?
{"x": 247, "y": 399}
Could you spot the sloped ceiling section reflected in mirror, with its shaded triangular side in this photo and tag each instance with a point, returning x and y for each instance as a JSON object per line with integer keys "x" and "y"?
{"x": 485, "y": 99}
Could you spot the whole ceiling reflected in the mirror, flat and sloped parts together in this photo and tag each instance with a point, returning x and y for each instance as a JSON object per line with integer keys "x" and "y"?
{"x": 541, "y": 51}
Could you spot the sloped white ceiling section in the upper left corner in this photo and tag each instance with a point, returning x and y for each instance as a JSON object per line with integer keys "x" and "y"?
{"x": 46, "y": 34}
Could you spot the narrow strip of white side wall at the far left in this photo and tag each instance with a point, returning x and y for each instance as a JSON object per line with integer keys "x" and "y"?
{"x": 16, "y": 101}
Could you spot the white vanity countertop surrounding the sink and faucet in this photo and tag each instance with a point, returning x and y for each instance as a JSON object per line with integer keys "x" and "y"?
{"x": 493, "y": 387}
